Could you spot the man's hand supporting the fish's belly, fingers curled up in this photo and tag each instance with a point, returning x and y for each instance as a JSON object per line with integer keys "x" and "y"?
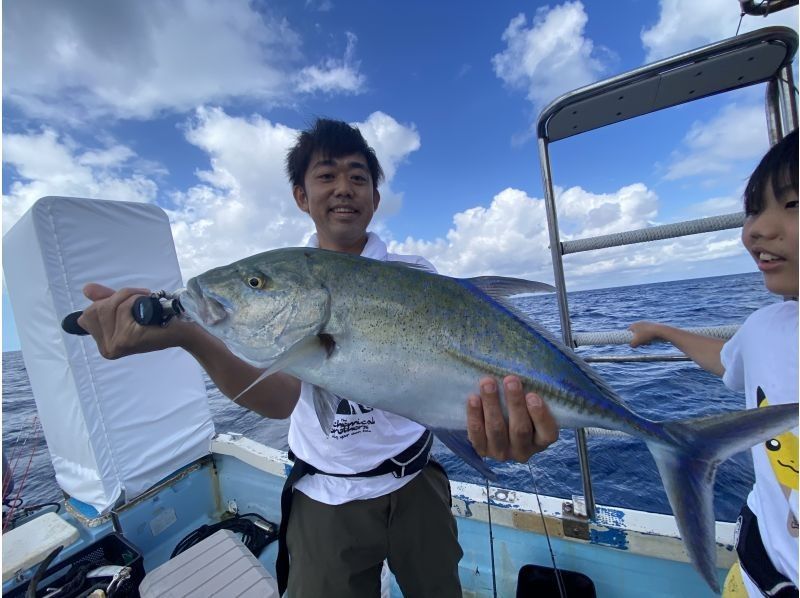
{"x": 531, "y": 427}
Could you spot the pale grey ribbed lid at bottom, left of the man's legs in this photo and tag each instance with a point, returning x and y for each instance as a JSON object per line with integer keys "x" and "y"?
{"x": 221, "y": 565}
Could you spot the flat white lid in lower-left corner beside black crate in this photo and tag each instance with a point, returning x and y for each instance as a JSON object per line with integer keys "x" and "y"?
{"x": 31, "y": 542}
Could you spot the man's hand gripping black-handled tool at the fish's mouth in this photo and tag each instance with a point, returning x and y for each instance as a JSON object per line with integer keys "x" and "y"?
{"x": 108, "y": 319}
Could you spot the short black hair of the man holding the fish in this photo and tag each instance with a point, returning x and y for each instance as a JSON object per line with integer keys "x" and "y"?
{"x": 332, "y": 139}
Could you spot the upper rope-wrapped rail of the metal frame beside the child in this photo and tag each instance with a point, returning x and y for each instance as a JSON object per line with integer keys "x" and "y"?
{"x": 655, "y": 233}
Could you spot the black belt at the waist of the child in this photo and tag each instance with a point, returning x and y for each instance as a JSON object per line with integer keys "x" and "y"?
{"x": 755, "y": 561}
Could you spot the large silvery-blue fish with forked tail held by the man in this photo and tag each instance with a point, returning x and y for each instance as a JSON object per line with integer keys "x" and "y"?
{"x": 393, "y": 336}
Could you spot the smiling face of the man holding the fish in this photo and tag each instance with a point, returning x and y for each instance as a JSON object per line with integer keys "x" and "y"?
{"x": 340, "y": 196}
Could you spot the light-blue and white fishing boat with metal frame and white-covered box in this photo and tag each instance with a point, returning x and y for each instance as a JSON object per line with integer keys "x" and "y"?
{"x": 144, "y": 473}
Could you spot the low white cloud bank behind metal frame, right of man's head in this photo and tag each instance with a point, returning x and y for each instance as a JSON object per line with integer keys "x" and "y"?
{"x": 511, "y": 238}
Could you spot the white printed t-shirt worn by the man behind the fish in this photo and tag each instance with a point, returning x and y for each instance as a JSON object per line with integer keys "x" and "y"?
{"x": 360, "y": 438}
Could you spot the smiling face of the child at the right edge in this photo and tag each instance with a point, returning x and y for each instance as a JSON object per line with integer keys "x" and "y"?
{"x": 771, "y": 238}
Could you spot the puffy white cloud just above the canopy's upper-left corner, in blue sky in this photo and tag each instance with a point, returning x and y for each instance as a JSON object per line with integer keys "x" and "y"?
{"x": 551, "y": 56}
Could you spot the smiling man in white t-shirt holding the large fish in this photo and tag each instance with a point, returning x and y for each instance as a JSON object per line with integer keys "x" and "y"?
{"x": 358, "y": 508}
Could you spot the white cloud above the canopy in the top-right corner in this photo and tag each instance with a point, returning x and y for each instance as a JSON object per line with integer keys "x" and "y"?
{"x": 686, "y": 24}
